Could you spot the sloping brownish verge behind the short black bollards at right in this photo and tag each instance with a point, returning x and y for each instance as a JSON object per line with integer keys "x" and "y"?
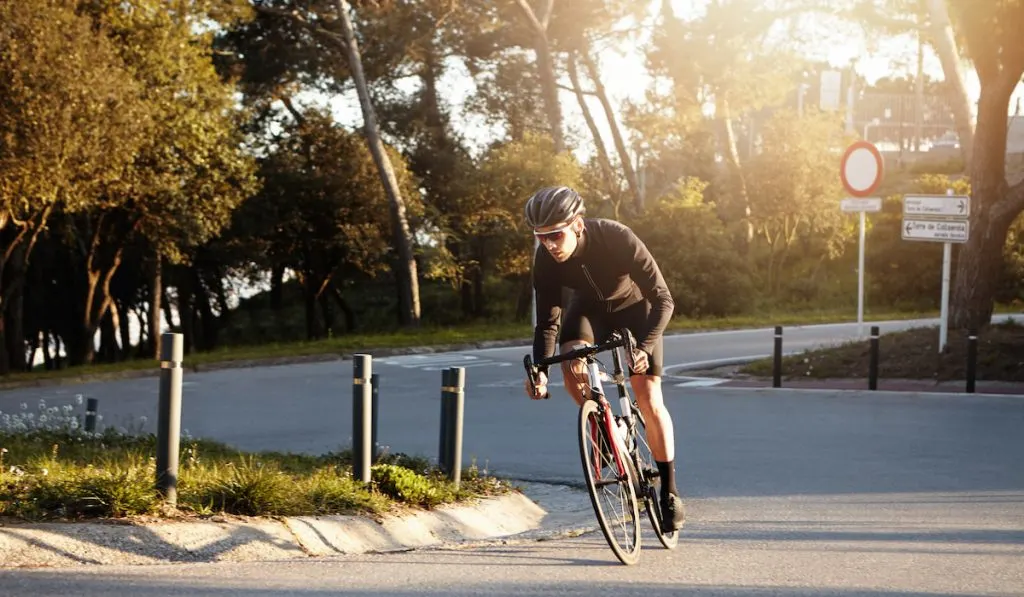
{"x": 911, "y": 355}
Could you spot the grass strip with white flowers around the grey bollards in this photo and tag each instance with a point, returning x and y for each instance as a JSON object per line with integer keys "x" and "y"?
{"x": 51, "y": 470}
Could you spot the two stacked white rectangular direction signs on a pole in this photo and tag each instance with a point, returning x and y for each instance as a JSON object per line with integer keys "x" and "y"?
{"x": 938, "y": 219}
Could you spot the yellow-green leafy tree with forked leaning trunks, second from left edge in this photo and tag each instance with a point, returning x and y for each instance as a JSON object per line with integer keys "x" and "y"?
{"x": 185, "y": 181}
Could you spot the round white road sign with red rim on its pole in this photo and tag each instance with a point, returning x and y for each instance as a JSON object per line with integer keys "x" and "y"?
{"x": 861, "y": 172}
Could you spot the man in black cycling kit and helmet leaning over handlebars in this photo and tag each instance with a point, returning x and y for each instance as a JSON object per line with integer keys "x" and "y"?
{"x": 616, "y": 284}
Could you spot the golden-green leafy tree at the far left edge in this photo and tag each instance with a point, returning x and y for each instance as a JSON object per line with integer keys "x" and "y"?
{"x": 71, "y": 124}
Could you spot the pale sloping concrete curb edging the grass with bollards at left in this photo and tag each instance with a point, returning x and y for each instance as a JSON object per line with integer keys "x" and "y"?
{"x": 516, "y": 517}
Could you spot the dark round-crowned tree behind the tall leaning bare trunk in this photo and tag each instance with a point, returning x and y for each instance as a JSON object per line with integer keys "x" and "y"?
{"x": 321, "y": 212}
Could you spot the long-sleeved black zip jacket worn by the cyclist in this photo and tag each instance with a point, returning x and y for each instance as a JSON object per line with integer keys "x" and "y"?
{"x": 611, "y": 272}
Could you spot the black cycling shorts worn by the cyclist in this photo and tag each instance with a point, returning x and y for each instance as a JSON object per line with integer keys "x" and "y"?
{"x": 595, "y": 325}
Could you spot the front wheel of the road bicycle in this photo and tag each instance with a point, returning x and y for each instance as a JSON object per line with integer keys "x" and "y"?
{"x": 623, "y": 536}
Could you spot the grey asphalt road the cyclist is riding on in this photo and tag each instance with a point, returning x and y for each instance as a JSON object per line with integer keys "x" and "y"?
{"x": 789, "y": 493}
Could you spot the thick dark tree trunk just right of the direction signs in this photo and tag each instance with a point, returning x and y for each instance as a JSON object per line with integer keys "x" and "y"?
{"x": 994, "y": 207}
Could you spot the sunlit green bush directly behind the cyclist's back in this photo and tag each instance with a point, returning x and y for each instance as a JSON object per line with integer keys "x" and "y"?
{"x": 706, "y": 276}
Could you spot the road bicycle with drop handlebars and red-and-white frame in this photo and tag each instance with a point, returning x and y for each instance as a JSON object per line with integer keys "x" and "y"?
{"x": 618, "y": 464}
